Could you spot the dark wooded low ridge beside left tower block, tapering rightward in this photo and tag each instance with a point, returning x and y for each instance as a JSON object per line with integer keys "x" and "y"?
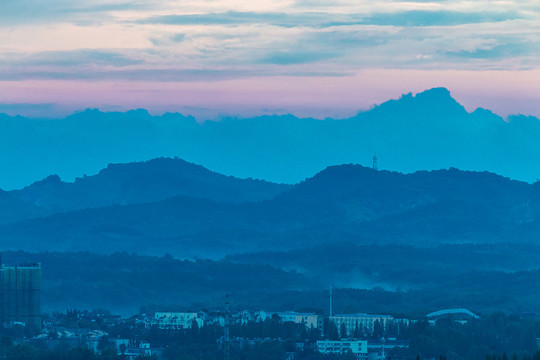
{"x": 123, "y": 282}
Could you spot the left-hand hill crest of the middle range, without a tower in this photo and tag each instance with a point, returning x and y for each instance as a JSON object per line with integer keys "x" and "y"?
{"x": 149, "y": 181}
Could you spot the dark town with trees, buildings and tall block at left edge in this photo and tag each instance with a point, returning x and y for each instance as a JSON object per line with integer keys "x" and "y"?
{"x": 225, "y": 333}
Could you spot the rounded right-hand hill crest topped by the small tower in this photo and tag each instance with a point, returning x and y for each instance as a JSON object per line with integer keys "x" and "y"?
{"x": 363, "y": 193}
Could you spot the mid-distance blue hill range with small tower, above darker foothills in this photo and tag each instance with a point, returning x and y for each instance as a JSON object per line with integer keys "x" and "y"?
{"x": 187, "y": 210}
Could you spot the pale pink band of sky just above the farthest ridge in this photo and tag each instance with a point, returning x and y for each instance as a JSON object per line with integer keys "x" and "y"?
{"x": 504, "y": 92}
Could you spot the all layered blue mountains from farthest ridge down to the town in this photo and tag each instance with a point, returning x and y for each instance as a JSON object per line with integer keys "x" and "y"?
{"x": 340, "y": 223}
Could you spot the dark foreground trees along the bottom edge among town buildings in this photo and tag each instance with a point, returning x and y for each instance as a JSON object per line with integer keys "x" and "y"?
{"x": 494, "y": 337}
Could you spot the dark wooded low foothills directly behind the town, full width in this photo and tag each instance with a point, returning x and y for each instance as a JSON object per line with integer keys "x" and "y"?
{"x": 123, "y": 283}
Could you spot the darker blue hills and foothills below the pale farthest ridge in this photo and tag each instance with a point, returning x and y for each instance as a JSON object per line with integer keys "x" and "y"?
{"x": 348, "y": 225}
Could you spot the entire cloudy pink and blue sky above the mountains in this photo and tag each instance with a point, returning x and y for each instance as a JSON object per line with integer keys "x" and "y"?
{"x": 314, "y": 58}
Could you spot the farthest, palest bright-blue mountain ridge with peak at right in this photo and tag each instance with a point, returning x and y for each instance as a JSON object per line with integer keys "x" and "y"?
{"x": 429, "y": 130}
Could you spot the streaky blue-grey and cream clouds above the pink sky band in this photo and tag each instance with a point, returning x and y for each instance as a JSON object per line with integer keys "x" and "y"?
{"x": 197, "y": 41}
